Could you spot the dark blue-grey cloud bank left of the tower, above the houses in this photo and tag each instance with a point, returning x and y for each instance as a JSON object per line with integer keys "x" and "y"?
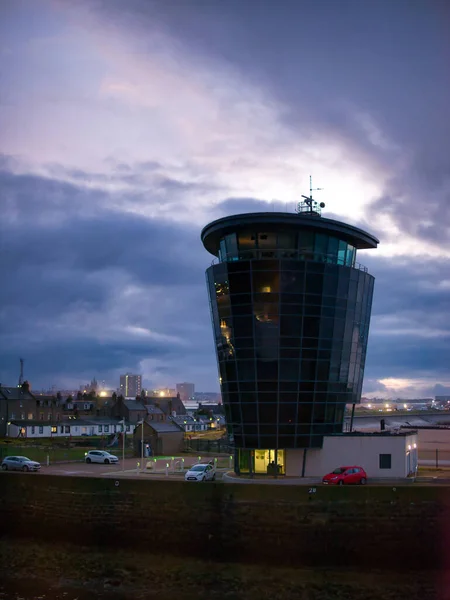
{"x": 62, "y": 268}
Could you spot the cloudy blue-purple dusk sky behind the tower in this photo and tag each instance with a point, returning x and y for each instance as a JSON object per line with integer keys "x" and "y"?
{"x": 125, "y": 127}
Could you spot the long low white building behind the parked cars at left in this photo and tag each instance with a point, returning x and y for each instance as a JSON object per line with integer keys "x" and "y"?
{"x": 67, "y": 428}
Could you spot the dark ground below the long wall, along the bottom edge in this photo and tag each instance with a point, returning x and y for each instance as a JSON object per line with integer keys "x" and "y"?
{"x": 31, "y": 570}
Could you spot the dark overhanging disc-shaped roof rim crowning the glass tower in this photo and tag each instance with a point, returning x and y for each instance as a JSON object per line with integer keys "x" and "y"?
{"x": 276, "y": 221}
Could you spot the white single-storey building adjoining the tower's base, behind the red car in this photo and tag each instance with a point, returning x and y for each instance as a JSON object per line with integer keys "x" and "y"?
{"x": 381, "y": 455}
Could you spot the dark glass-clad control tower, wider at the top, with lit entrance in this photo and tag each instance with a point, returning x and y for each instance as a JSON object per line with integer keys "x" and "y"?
{"x": 290, "y": 309}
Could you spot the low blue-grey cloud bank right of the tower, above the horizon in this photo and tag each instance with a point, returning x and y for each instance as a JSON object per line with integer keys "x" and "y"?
{"x": 410, "y": 334}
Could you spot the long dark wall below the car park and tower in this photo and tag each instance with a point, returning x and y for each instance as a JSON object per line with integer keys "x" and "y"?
{"x": 403, "y": 528}
